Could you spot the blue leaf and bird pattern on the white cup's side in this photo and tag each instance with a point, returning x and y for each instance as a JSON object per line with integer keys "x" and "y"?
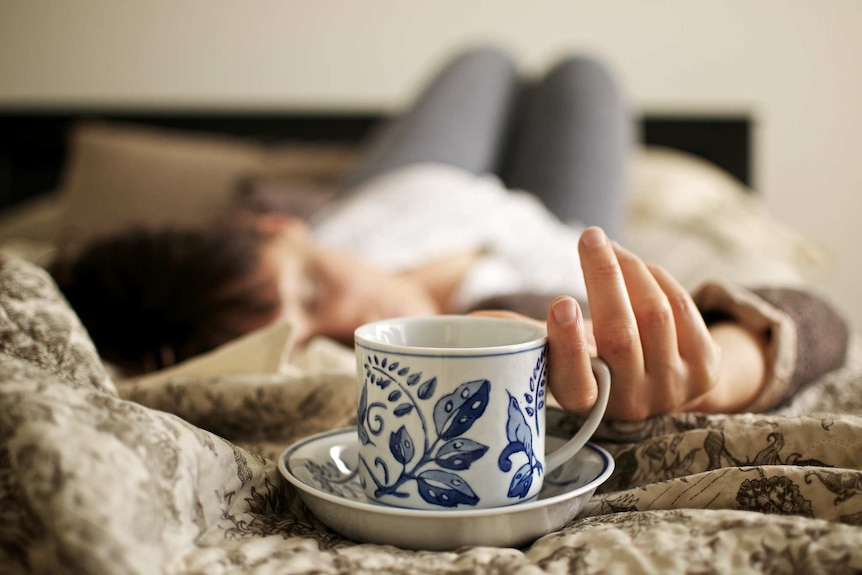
{"x": 434, "y": 460}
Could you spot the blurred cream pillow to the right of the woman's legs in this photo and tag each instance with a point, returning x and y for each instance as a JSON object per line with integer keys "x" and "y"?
{"x": 700, "y": 223}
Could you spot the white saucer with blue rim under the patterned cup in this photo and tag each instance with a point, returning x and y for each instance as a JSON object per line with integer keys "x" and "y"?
{"x": 324, "y": 469}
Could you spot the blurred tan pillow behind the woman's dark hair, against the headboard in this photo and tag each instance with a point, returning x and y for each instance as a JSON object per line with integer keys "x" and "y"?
{"x": 124, "y": 175}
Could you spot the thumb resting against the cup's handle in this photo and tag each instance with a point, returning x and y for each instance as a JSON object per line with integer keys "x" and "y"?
{"x": 570, "y": 374}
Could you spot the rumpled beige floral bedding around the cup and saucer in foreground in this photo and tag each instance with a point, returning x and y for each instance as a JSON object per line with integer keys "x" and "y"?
{"x": 101, "y": 477}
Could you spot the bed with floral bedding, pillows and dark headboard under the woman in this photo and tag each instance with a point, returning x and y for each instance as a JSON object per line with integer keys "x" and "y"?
{"x": 176, "y": 472}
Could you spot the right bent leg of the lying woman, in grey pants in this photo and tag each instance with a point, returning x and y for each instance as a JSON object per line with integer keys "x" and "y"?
{"x": 572, "y": 143}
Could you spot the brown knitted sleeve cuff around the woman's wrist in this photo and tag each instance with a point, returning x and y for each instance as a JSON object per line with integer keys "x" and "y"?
{"x": 805, "y": 337}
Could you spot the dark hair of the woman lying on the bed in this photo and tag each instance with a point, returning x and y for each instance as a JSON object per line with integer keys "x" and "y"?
{"x": 150, "y": 298}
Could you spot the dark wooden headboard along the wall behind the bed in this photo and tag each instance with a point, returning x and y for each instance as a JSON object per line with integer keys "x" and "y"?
{"x": 33, "y": 142}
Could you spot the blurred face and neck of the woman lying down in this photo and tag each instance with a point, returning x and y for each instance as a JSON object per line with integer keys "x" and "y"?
{"x": 329, "y": 293}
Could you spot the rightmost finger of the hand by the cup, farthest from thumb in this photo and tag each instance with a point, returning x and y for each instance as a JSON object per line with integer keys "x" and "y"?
{"x": 695, "y": 343}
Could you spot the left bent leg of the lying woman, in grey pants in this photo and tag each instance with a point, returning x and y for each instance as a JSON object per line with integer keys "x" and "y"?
{"x": 461, "y": 118}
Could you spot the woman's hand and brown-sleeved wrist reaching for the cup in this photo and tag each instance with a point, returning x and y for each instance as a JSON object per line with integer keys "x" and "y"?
{"x": 664, "y": 356}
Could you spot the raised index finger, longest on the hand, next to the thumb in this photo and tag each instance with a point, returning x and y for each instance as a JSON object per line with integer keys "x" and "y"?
{"x": 614, "y": 324}
